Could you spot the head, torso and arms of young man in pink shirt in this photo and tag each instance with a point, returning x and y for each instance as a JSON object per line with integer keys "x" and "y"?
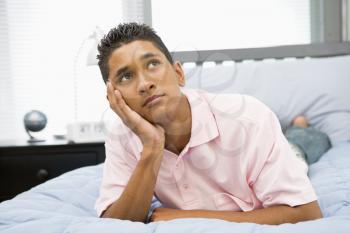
{"x": 218, "y": 156}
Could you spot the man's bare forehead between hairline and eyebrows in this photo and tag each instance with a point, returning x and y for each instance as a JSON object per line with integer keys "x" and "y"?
{"x": 130, "y": 52}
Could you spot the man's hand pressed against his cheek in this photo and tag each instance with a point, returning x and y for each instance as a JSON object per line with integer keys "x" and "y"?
{"x": 151, "y": 136}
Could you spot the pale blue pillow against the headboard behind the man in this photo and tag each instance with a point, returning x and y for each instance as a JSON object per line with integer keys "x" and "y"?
{"x": 315, "y": 87}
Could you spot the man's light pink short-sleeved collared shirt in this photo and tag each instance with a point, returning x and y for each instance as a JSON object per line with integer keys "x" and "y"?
{"x": 237, "y": 159}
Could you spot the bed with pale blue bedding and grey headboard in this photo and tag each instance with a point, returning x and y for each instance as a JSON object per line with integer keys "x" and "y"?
{"x": 312, "y": 80}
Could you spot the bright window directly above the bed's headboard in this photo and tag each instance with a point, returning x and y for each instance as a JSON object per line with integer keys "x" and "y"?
{"x": 204, "y": 25}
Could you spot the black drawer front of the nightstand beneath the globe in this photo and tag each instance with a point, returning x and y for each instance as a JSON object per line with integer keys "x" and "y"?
{"x": 20, "y": 173}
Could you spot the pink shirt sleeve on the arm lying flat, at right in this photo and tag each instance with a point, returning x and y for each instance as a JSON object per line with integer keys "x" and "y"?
{"x": 280, "y": 177}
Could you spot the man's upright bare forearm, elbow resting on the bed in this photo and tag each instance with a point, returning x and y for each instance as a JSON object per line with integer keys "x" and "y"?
{"x": 134, "y": 202}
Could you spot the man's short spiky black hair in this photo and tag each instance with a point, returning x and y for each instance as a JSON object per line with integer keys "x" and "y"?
{"x": 123, "y": 34}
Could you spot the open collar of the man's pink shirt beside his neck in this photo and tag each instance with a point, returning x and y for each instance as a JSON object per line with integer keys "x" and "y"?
{"x": 204, "y": 127}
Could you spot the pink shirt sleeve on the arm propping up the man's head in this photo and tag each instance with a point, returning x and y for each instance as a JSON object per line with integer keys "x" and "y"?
{"x": 118, "y": 167}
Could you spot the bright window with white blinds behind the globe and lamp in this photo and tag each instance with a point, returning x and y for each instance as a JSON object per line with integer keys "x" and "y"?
{"x": 44, "y": 45}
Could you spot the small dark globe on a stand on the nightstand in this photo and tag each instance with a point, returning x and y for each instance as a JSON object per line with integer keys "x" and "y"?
{"x": 34, "y": 121}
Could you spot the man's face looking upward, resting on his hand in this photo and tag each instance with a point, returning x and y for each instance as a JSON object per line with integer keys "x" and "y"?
{"x": 139, "y": 70}
